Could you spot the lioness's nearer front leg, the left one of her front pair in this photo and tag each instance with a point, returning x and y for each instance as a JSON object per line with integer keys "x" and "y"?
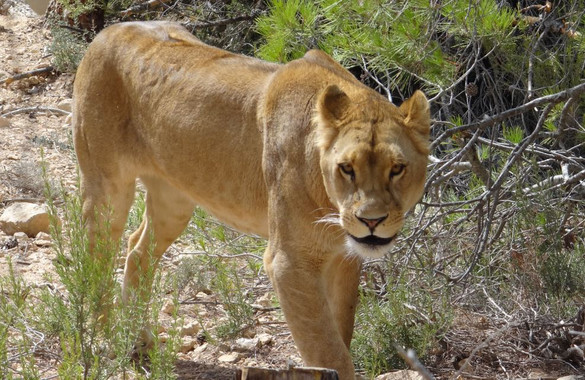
{"x": 302, "y": 292}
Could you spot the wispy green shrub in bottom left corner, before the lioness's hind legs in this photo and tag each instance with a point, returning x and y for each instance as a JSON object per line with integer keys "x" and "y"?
{"x": 95, "y": 332}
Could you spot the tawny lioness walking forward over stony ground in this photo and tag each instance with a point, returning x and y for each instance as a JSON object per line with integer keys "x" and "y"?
{"x": 302, "y": 154}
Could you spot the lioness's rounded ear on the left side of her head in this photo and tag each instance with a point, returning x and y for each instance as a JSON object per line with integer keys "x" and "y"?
{"x": 331, "y": 106}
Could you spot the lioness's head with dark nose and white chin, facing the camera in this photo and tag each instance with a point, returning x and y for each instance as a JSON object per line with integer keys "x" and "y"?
{"x": 373, "y": 161}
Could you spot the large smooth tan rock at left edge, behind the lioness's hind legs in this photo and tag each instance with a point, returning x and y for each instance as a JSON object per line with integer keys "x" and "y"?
{"x": 24, "y": 217}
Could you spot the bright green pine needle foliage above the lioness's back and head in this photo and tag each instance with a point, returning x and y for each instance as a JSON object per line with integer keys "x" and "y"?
{"x": 395, "y": 39}
